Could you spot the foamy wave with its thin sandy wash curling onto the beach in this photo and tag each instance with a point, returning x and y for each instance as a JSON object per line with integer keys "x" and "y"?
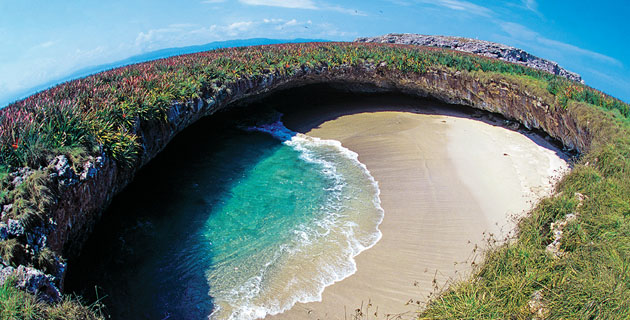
{"x": 338, "y": 232}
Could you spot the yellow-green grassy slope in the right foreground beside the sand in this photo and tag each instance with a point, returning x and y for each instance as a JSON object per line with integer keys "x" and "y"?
{"x": 592, "y": 278}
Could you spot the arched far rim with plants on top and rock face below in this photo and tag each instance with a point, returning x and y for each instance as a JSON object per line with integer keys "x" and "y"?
{"x": 67, "y": 151}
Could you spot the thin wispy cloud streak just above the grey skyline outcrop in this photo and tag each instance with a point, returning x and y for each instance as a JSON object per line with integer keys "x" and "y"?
{"x": 532, "y": 38}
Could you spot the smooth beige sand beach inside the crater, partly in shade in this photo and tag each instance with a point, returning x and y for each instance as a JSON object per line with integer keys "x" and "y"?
{"x": 447, "y": 181}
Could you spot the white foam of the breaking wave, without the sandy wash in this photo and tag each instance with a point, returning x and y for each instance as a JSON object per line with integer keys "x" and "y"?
{"x": 242, "y": 301}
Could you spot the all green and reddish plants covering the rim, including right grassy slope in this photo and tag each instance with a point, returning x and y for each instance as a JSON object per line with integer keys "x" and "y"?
{"x": 101, "y": 114}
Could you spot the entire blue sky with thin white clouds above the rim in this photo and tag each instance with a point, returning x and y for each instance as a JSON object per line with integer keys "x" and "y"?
{"x": 45, "y": 40}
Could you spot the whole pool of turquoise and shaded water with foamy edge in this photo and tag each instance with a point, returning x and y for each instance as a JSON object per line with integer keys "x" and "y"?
{"x": 258, "y": 220}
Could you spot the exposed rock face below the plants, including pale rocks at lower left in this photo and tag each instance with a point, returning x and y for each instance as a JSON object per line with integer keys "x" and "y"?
{"x": 83, "y": 191}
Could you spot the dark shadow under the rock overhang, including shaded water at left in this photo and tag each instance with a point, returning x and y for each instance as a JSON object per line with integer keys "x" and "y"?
{"x": 149, "y": 256}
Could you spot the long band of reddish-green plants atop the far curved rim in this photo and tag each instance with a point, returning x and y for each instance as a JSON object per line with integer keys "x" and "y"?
{"x": 102, "y": 110}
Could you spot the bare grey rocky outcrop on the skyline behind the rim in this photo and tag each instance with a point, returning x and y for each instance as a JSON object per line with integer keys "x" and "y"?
{"x": 480, "y": 47}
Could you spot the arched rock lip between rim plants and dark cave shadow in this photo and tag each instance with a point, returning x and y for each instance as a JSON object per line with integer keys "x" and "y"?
{"x": 82, "y": 202}
